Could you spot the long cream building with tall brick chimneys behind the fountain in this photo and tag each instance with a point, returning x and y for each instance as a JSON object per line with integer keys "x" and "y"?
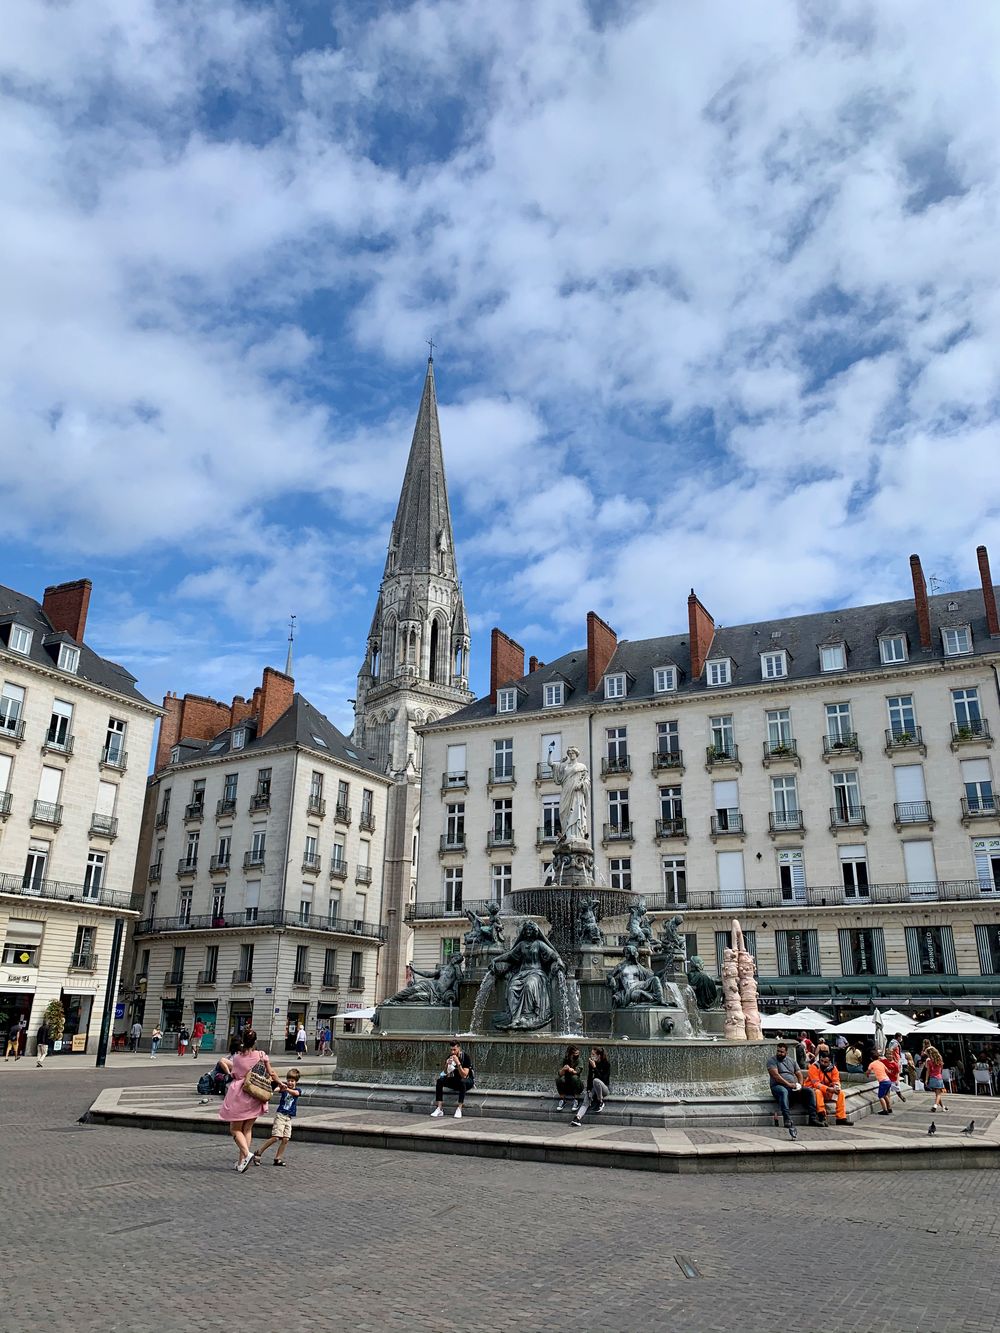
{"x": 826, "y": 778}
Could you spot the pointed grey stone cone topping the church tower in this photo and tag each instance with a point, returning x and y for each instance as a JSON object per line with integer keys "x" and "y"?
{"x": 422, "y": 534}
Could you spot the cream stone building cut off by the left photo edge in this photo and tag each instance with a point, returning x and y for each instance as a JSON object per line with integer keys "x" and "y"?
{"x": 75, "y": 742}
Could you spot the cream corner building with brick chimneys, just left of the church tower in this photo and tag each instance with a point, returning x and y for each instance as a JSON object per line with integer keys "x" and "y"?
{"x": 261, "y": 870}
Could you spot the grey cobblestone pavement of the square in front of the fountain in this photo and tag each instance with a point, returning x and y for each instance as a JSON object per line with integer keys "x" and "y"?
{"x": 117, "y": 1230}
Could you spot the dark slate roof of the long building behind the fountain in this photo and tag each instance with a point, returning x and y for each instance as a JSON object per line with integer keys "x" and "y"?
{"x": 858, "y": 627}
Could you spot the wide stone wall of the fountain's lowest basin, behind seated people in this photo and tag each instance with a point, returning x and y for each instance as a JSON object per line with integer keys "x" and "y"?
{"x": 694, "y": 1068}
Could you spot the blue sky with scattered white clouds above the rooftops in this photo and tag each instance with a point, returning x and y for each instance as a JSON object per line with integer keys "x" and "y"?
{"x": 714, "y": 293}
